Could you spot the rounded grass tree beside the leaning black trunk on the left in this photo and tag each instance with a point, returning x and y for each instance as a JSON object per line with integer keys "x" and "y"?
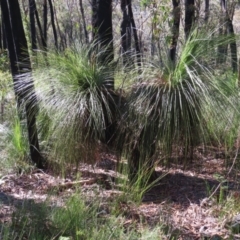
{"x": 77, "y": 109}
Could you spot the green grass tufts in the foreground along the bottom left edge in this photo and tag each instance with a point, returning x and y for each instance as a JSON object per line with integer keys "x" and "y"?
{"x": 77, "y": 219}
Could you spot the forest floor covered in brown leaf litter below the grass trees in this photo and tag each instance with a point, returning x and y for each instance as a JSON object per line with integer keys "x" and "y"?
{"x": 188, "y": 200}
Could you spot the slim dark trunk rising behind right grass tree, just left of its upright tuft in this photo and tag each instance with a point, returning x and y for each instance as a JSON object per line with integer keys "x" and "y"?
{"x": 175, "y": 29}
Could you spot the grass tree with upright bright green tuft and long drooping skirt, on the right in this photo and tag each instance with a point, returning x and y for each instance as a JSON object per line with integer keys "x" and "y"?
{"x": 171, "y": 104}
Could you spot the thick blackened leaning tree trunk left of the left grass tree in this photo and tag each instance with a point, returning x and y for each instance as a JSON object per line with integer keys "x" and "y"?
{"x": 20, "y": 62}
